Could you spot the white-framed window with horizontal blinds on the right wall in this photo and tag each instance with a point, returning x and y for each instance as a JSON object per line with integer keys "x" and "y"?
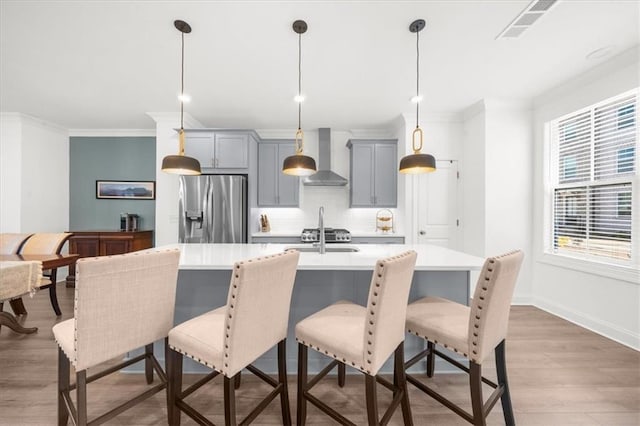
{"x": 594, "y": 168}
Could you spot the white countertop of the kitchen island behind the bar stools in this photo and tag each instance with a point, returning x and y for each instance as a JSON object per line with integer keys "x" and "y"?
{"x": 223, "y": 256}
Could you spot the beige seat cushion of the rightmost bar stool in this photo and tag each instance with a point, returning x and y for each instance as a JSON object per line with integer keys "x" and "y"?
{"x": 440, "y": 321}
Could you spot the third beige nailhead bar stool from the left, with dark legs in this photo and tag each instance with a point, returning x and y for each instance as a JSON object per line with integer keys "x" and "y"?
{"x": 362, "y": 338}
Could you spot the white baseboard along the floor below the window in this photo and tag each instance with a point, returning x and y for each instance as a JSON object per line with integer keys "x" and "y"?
{"x": 604, "y": 328}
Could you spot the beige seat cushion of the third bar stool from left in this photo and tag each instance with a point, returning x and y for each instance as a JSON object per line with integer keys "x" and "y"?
{"x": 336, "y": 331}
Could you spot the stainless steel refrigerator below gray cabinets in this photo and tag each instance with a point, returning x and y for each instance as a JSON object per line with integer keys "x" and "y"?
{"x": 213, "y": 209}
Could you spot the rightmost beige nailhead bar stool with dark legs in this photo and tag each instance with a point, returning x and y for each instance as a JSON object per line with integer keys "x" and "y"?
{"x": 473, "y": 332}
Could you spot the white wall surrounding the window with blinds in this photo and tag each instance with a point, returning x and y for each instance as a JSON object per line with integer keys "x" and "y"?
{"x": 607, "y": 305}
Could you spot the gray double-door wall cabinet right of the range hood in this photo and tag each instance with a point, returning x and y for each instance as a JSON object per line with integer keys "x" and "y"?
{"x": 373, "y": 172}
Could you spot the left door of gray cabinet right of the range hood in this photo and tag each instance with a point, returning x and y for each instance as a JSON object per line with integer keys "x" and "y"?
{"x": 362, "y": 175}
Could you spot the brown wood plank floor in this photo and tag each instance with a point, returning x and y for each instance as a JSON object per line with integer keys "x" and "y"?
{"x": 560, "y": 374}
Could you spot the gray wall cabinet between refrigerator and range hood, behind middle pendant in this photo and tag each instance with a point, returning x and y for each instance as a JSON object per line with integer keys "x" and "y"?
{"x": 275, "y": 189}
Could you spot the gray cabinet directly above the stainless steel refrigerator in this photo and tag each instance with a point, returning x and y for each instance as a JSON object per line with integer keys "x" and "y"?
{"x": 218, "y": 150}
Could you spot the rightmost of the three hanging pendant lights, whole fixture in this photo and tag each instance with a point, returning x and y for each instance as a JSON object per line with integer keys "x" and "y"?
{"x": 417, "y": 162}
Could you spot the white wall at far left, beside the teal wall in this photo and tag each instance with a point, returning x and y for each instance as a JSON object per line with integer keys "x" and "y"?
{"x": 34, "y": 175}
